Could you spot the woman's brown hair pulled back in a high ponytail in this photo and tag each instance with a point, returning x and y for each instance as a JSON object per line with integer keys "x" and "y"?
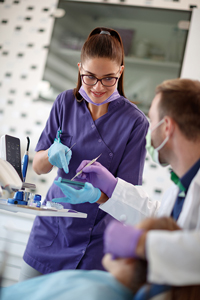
{"x": 107, "y": 43}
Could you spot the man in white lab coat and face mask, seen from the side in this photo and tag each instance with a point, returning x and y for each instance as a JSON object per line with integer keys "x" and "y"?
{"x": 173, "y": 138}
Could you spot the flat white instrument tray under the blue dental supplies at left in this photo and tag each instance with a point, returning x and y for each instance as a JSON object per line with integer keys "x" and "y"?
{"x": 41, "y": 211}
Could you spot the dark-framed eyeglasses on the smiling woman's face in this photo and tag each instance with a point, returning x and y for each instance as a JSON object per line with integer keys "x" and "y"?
{"x": 105, "y": 81}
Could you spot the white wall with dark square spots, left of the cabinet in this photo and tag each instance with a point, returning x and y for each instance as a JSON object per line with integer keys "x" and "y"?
{"x": 25, "y": 33}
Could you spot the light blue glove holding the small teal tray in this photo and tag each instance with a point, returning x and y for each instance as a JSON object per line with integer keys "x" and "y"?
{"x": 87, "y": 194}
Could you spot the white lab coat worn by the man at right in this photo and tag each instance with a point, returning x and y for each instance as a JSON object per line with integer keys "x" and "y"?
{"x": 174, "y": 258}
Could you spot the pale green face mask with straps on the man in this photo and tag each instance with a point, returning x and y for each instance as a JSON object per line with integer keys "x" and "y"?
{"x": 154, "y": 151}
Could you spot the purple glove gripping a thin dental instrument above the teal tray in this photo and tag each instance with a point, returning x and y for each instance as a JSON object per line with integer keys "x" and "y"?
{"x": 98, "y": 176}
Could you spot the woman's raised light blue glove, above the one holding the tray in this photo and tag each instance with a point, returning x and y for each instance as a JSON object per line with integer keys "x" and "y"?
{"x": 59, "y": 155}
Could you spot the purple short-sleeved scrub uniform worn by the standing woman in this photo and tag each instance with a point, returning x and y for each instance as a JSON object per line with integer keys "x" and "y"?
{"x": 58, "y": 243}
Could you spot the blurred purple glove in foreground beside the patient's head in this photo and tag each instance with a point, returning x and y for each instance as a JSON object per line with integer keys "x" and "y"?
{"x": 121, "y": 240}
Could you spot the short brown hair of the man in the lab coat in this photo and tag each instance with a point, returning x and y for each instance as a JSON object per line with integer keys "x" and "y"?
{"x": 180, "y": 100}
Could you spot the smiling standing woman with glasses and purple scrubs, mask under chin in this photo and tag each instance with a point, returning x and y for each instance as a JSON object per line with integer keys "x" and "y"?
{"x": 100, "y": 120}
